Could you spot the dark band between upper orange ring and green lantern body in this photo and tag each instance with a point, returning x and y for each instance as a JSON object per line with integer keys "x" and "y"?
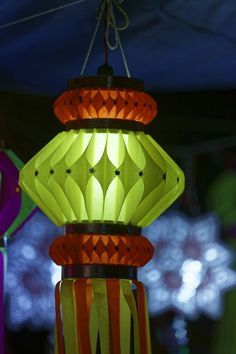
{"x": 105, "y": 123}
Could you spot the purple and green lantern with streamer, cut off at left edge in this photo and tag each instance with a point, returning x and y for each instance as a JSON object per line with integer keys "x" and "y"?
{"x": 15, "y": 206}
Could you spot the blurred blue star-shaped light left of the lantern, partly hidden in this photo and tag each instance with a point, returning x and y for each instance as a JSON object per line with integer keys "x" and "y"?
{"x": 31, "y": 276}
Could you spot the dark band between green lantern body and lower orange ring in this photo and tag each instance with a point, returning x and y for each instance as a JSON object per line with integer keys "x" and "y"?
{"x": 103, "y": 228}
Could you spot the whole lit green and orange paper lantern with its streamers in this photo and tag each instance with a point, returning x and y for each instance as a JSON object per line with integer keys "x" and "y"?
{"x": 103, "y": 178}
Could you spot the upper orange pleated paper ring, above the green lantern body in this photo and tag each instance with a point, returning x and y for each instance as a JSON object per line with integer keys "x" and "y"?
{"x": 113, "y": 103}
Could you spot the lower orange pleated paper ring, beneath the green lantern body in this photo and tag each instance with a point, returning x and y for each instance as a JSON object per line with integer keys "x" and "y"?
{"x": 101, "y": 249}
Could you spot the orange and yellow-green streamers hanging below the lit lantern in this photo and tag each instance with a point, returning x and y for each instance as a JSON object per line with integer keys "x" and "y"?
{"x": 107, "y": 316}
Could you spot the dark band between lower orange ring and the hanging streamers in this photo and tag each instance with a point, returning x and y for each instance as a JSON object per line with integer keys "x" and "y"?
{"x": 99, "y": 271}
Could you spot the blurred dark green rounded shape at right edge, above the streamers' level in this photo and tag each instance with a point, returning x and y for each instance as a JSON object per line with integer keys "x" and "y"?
{"x": 221, "y": 200}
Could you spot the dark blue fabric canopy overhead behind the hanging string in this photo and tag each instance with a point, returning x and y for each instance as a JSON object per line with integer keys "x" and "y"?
{"x": 171, "y": 44}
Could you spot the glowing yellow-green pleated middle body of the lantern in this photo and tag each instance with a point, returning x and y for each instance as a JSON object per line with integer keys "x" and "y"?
{"x": 139, "y": 183}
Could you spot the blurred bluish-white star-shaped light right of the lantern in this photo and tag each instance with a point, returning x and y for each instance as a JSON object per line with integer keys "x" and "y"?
{"x": 190, "y": 268}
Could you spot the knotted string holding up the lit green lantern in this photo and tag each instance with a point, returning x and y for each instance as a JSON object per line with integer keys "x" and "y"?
{"x": 106, "y": 9}
